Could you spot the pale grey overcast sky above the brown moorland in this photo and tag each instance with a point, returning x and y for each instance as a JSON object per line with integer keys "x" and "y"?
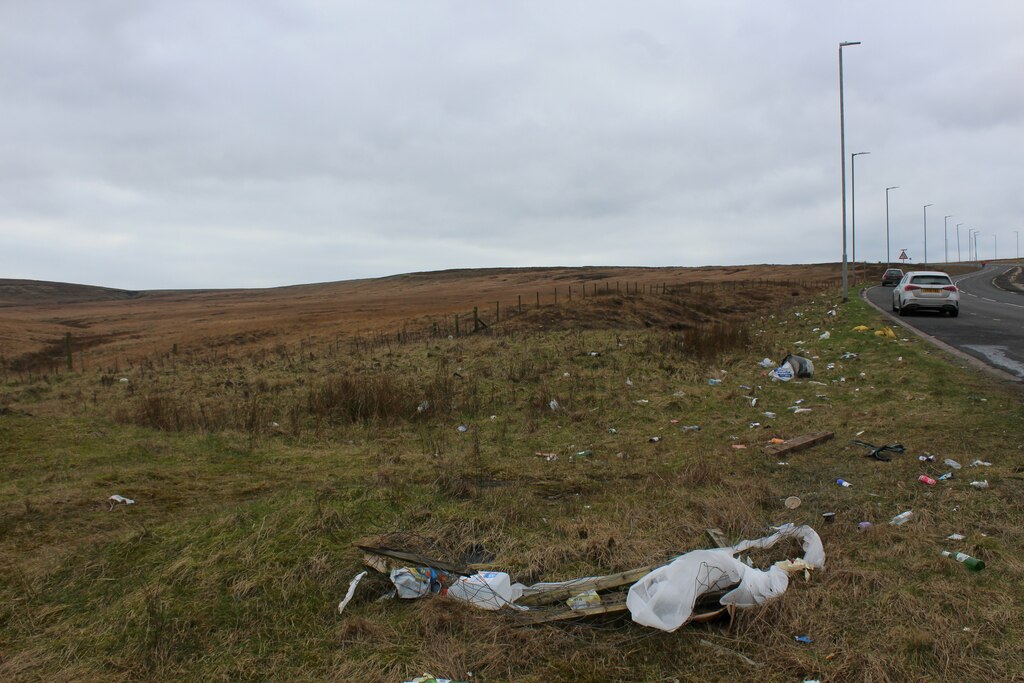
{"x": 192, "y": 144}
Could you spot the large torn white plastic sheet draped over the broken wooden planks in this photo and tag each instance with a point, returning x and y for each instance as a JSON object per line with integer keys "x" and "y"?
{"x": 665, "y": 599}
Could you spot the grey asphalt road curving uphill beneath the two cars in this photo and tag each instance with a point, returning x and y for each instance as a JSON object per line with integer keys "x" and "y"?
{"x": 991, "y": 326}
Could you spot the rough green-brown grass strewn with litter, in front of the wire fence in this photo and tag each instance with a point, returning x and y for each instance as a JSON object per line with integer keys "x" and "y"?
{"x": 254, "y": 478}
